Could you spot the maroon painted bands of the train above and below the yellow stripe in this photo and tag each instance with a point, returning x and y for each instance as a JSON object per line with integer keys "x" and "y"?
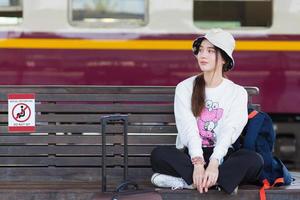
{"x": 275, "y": 73}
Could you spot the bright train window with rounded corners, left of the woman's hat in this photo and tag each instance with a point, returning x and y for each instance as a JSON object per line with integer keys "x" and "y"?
{"x": 108, "y": 13}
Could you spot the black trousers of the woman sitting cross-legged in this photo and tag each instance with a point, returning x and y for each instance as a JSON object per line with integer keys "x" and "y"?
{"x": 239, "y": 167}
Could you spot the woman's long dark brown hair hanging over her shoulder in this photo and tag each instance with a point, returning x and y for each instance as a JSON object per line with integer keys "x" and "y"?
{"x": 198, "y": 96}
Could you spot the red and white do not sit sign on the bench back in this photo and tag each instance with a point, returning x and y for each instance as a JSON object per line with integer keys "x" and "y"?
{"x": 21, "y": 112}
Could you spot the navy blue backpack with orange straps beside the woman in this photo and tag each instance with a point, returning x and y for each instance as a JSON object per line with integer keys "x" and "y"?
{"x": 259, "y": 135}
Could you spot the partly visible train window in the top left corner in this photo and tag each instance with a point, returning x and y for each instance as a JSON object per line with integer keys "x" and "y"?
{"x": 11, "y": 12}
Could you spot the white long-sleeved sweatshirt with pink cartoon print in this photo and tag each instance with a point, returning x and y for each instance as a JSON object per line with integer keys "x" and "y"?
{"x": 220, "y": 123}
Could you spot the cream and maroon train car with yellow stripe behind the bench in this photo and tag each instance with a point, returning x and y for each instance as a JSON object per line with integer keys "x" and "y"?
{"x": 148, "y": 42}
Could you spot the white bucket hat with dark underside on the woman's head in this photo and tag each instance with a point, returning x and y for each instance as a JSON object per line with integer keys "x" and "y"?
{"x": 219, "y": 38}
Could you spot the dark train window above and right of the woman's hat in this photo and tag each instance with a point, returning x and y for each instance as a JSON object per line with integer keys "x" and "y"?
{"x": 232, "y": 14}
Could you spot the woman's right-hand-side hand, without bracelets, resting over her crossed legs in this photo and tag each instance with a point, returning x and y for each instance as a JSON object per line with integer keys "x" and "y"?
{"x": 211, "y": 174}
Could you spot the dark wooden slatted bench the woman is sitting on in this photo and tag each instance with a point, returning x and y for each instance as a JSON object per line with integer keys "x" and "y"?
{"x": 65, "y": 151}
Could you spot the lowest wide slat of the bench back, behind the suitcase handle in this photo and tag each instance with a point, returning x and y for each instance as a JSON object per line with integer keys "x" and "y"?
{"x": 65, "y": 174}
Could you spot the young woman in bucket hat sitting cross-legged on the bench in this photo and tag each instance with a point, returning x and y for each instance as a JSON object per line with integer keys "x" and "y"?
{"x": 210, "y": 113}
